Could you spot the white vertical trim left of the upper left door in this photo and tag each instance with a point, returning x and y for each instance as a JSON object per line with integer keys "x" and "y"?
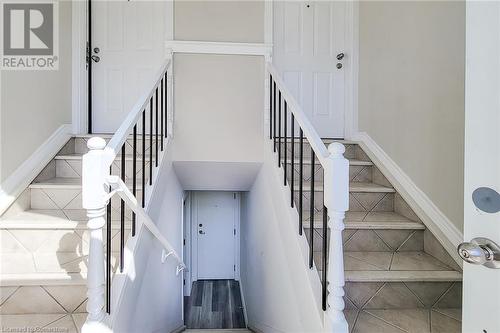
{"x": 79, "y": 67}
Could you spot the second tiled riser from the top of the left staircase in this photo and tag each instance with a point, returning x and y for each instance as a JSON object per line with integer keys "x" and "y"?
{"x": 70, "y": 168}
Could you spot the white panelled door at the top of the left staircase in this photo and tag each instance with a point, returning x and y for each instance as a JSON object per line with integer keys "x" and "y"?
{"x": 129, "y": 36}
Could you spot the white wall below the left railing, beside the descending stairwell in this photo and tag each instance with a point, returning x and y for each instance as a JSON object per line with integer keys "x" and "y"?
{"x": 153, "y": 301}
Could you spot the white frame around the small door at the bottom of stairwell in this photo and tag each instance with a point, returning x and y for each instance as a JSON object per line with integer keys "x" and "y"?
{"x": 194, "y": 235}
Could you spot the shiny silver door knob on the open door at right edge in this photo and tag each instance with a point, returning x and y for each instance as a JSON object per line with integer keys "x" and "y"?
{"x": 480, "y": 251}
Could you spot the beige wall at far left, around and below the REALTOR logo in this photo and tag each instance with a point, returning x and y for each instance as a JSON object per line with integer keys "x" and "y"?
{"x": 33, "y": 104}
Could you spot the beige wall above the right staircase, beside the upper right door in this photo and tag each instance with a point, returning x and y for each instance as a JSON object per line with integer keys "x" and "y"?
{"x": 411, "y": 92}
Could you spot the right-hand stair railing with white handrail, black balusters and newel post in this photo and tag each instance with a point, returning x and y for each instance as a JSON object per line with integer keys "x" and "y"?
{"x": 284, "y": 114}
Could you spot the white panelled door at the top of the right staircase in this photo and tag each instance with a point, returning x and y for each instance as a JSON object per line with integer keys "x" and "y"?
{"x": 308, "y": 36}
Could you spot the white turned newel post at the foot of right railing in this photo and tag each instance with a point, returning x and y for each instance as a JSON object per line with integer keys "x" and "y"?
{"x": 337, "y": 202}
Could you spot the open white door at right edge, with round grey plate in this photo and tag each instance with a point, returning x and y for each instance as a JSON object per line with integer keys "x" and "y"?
{"x": 481, "y": 300}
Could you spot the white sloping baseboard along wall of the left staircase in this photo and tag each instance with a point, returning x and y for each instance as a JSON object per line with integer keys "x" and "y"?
{"x": 17, "y": 182}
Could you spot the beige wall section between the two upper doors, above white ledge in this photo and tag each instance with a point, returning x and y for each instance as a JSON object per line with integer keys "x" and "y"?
{"x": 219, "y": 21}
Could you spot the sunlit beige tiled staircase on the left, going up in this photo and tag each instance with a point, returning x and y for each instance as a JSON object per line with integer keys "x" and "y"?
{"x": 44, "y": 245}
